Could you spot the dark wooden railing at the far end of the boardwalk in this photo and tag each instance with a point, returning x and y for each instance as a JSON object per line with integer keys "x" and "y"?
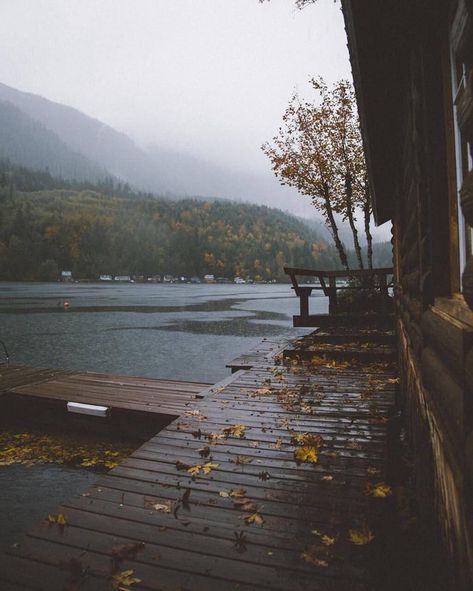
{"x": 368, "y": 279}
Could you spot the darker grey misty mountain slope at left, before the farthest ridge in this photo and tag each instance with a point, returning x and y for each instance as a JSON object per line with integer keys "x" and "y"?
{"x": 25, "y": 141}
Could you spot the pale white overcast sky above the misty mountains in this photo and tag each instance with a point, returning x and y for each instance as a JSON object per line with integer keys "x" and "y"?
{"x": 209, "y": 77}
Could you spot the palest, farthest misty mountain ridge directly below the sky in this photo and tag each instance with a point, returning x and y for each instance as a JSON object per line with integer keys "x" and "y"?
{"x": 156, "y": 169}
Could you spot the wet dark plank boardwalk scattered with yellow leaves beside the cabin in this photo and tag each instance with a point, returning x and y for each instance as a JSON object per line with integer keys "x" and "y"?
{"x": 217, "y": 500}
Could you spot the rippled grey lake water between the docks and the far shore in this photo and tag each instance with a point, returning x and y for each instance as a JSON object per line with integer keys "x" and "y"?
{"x": 175, "y": 331}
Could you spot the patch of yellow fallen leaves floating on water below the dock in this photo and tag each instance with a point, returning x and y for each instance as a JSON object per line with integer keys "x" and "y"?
{"x": 29, "y": 448}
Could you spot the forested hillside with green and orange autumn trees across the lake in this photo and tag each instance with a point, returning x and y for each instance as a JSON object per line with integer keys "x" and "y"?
{"x": 90, "y": 233}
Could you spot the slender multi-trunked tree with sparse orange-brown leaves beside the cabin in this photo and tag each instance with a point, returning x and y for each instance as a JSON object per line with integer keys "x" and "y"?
{"x": 319, "y": 151}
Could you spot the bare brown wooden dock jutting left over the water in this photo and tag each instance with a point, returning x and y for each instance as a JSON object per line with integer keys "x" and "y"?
{"x": 165, "y": 397}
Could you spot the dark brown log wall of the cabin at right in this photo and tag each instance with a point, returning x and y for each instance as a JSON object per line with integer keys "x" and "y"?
{"x": 435, "y": 331}
